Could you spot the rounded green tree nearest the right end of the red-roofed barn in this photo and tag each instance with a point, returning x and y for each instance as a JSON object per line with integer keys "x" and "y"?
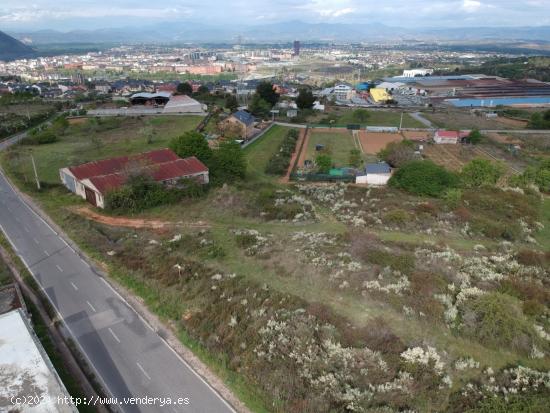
{"x": 228, "y": 162}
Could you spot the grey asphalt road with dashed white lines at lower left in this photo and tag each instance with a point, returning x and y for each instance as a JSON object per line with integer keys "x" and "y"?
{"x": 130, "y": 359}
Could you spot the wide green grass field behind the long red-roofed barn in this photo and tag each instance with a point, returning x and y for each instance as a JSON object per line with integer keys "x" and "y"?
{"x": 90, "y": 141}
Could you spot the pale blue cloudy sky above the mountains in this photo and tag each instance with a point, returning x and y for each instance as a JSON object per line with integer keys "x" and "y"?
{"x": 30, "y": 15}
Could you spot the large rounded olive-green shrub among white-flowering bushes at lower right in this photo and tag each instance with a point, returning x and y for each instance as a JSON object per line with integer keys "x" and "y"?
{"x": 496, "y": 320}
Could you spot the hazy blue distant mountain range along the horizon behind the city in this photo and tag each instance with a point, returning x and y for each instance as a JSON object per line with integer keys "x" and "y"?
{"x": 172, "y": 32}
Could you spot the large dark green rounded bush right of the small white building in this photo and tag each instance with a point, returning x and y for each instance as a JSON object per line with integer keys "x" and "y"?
{"x": 423, "y": 178}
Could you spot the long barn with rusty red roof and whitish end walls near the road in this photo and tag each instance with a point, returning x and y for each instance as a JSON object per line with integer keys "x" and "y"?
{"x": 93, "y": 180}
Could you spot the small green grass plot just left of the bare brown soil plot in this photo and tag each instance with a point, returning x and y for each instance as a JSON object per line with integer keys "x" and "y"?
{"x": 338, "y": 145}
